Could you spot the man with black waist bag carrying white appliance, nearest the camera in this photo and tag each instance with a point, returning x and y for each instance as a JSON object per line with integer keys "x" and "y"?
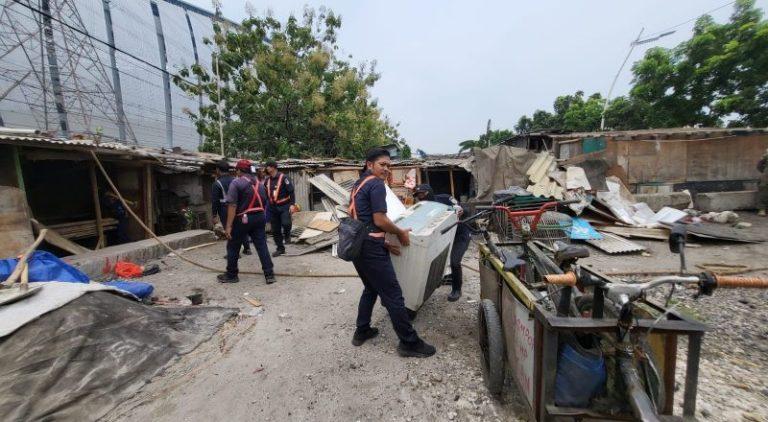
{"x": 374, "y": 265}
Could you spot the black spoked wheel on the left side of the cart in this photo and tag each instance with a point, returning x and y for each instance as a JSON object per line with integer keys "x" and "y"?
{"x": 491, "y": 346}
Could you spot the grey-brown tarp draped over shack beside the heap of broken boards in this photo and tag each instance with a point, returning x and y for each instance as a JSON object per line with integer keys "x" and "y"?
{"x": 499, "y": 167}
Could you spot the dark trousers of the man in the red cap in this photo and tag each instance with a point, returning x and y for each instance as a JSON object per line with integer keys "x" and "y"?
{"x": 240, "y": 233}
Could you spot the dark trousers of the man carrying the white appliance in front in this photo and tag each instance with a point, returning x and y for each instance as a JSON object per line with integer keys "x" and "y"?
{"x": 374, "y": 266}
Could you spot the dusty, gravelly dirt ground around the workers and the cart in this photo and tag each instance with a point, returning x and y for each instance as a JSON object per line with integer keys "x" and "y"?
{"x": 291, "y": 359}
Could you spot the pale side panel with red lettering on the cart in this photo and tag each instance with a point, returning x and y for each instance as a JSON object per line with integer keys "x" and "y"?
{"x": 519, "y": 332}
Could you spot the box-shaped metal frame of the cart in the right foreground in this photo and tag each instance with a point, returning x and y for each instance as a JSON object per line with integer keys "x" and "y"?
{"x": 531, "y": 340}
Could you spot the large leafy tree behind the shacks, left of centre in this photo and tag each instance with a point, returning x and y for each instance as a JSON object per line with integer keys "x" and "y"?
{"x": 285, "y": 92}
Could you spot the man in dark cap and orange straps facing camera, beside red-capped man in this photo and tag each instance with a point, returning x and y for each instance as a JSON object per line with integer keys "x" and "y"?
{"x": 282, "y": 202}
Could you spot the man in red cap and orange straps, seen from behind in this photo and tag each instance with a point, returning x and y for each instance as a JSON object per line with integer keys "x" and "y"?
{"x": 245, "y": 217}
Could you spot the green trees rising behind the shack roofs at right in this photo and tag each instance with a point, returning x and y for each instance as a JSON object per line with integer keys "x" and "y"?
{"x": 720, "y": 74}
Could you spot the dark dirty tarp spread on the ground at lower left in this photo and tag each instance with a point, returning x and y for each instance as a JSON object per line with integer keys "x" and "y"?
{"x": 78, "y": 362}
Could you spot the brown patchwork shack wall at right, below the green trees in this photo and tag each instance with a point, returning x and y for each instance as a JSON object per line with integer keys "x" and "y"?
{"x": 670, "y": 161}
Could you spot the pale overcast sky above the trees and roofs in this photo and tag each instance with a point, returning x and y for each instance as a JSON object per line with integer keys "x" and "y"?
{"x": 449, "y": 66}
